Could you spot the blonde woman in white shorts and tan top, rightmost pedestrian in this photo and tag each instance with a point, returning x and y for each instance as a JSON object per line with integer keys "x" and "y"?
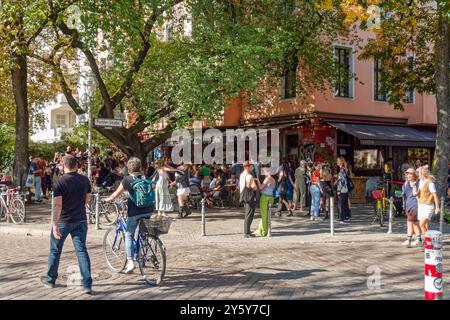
{"x": 427, "y": 199}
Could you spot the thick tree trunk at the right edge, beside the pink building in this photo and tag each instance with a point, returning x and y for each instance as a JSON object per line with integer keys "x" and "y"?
{"x": 441, "y": 155}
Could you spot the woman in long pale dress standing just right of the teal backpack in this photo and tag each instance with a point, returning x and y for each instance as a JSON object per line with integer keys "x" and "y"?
{"x": 163, "y": 200}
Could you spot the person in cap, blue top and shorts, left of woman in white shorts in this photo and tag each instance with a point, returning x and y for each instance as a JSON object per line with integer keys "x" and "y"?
{"x": 410, "y": 189}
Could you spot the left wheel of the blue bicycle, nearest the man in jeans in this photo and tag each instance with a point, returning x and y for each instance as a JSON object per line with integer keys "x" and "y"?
{"x": 114, "y": 249}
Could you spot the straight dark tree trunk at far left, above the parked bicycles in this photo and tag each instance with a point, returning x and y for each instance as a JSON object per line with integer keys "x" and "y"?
{"x": 19, "y": 86}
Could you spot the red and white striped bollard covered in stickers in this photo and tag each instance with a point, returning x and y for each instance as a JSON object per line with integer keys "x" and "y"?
{"x": 433, "y": 265}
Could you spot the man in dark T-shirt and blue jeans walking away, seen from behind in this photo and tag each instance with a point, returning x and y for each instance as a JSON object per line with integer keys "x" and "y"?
{"x": 71, "y": 193}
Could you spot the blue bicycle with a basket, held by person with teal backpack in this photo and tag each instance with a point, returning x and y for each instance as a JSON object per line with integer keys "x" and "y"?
{"x": 149, "y": 252}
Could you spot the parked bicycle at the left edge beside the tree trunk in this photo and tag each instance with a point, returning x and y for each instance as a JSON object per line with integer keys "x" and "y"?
{"x": 12, "y": 205}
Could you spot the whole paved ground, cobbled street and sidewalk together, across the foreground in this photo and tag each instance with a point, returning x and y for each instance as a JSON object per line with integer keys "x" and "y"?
{"x": 300, "y": 261}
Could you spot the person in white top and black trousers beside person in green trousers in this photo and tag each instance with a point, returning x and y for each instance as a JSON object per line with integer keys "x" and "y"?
{"x": 247, "y": 187}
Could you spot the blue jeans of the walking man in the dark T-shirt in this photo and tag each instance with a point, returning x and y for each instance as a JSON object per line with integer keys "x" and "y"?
{"x": 78, "y": 232}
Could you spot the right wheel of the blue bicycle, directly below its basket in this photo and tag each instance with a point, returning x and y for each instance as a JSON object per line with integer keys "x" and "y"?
{"x": 152, "y": 260}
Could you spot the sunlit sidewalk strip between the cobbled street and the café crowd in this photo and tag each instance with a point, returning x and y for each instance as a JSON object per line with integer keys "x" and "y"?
{"x": 226, "y": 225}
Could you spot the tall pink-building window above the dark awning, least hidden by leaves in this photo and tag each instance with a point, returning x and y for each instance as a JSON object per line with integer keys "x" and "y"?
{"x": 344, "y": 86}
